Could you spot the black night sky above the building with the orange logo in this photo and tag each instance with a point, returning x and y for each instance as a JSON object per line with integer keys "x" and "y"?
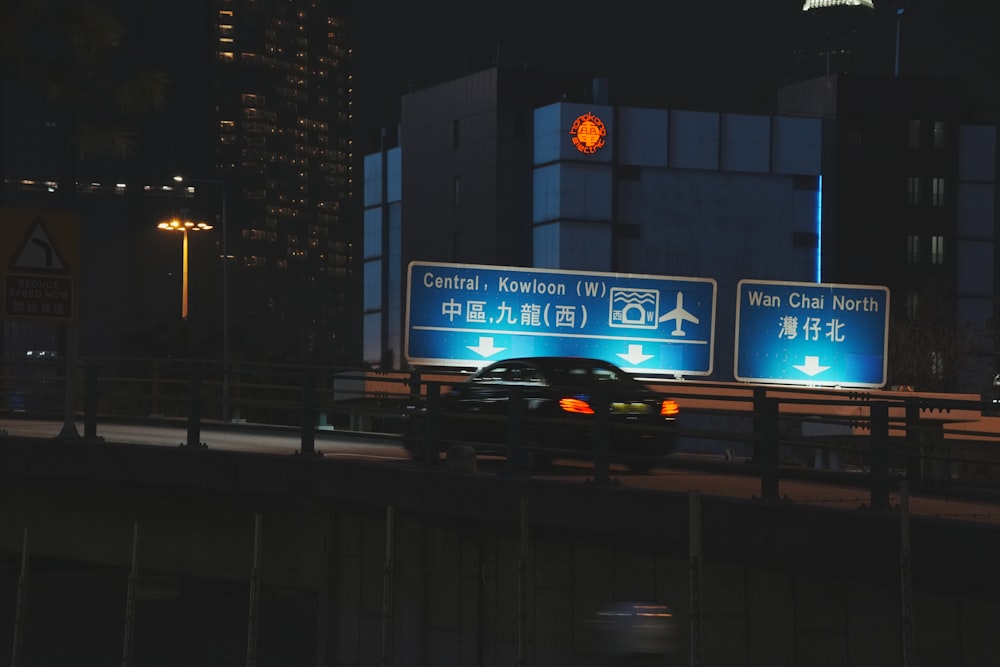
{"x": 716, "y": 54}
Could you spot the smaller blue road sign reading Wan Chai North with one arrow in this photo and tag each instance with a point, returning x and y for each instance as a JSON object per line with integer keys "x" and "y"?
{"x": 811, "y": 333}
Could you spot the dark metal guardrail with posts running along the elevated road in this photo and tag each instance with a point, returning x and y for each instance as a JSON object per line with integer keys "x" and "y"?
{"x": 934, "y": 440}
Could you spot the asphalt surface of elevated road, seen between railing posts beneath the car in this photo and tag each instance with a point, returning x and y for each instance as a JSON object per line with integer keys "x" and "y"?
{"x": 709, "y": 475}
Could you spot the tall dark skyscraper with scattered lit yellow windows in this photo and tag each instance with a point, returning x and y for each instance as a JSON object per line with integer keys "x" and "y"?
{"x": 282, "y": 139}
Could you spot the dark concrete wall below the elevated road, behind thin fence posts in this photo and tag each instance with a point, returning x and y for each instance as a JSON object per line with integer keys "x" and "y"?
{"x": 386, "y": 564}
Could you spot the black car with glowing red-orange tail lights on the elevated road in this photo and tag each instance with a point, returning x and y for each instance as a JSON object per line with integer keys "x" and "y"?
{"x": 558, "y": 399}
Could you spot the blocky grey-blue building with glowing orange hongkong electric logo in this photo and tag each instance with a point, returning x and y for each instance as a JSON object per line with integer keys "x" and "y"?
{"x": 822, "y": 191}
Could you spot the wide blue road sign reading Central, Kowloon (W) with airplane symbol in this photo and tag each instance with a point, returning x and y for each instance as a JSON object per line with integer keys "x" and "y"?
{"x": 471, "y": 315}
